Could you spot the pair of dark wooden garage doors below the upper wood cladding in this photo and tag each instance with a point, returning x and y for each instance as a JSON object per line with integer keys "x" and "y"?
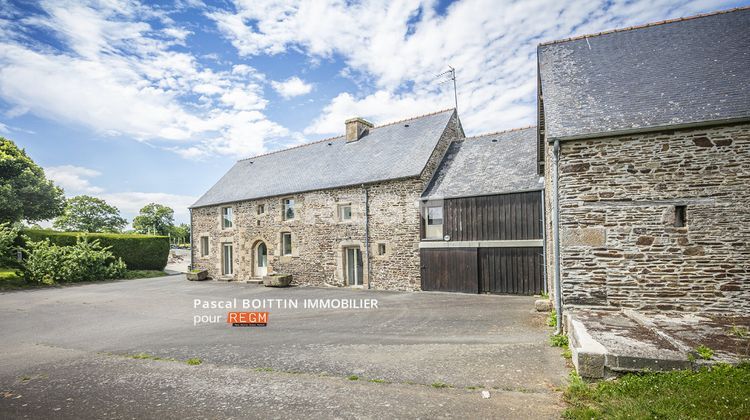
{"x": 516, "y": 271}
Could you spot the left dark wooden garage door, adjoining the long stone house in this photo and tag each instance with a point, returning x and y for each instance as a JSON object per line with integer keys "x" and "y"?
{"x": 450, "y": 270}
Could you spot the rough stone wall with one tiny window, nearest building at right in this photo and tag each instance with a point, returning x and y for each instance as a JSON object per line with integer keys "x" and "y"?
{"x": 620, "y": 246}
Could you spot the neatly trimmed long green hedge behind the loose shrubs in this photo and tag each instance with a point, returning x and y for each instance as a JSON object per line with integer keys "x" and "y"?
{"x": 139, "y": 252}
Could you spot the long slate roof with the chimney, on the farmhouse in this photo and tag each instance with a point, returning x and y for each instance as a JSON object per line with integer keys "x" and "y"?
{"x": 392, "y": 151}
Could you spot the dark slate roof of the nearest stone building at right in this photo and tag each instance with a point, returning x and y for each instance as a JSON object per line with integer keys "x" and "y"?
{"x": 679, "y": 72}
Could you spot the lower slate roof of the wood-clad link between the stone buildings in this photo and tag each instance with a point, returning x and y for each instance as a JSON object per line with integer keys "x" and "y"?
{"x": 494, "y": 163}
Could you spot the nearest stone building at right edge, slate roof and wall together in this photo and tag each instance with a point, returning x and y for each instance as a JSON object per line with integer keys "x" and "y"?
{"x": 650, "y": 128}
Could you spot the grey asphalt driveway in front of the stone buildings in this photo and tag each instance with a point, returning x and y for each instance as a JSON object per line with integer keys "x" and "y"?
{"x": 68, "y": 353}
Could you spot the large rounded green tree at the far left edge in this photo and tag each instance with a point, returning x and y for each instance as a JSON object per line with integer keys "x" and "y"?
{"x": 25, "y": 192}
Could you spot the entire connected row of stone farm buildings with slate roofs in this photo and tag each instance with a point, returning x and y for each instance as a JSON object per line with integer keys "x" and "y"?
{"x": 631, "y": 191}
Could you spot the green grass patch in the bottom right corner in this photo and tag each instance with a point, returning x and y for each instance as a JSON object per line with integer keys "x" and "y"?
{"x": 717, "y": 392}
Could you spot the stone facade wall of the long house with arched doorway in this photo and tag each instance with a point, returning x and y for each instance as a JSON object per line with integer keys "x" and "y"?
{"x": 319, "y": 237}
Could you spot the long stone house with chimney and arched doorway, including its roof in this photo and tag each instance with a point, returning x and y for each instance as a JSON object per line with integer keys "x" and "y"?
{"x": 341, "y": 211}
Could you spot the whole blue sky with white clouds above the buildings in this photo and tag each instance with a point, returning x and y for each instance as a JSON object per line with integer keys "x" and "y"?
{"x": 139, "y": 102}
